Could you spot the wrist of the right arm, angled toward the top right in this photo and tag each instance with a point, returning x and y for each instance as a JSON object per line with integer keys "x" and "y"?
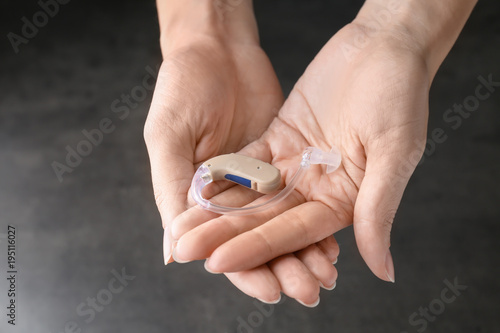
{"x": 425, "y": 27}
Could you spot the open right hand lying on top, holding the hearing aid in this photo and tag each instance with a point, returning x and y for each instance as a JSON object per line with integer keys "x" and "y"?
{"x": 373, "y": 106}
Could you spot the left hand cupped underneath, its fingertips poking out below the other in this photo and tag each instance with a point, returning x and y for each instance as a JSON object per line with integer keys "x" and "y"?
{"x": 214, "y": 97}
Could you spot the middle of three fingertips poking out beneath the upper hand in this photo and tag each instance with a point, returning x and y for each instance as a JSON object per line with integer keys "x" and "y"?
{"x": 296, "y": 280}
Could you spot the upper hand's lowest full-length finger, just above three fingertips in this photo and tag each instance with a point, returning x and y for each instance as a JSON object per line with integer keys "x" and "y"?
{"x": 293, "y": 230}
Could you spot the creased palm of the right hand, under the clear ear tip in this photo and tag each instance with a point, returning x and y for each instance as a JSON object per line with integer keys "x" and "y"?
{"x": 342, "y": 104}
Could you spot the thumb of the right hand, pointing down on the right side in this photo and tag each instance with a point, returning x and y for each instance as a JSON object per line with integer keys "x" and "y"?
{"x": 376, "y": 205}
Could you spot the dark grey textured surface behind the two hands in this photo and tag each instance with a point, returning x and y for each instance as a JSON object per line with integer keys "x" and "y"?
{"x": 71, "y": 234}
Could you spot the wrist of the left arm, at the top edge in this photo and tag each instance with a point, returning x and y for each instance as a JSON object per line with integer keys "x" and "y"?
{"x": 184, "y": 22}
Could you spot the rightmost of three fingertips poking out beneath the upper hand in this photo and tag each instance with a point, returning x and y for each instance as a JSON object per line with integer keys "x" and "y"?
{"x": 319, "y": 265}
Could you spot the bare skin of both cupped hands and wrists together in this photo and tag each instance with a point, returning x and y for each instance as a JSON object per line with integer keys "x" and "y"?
{"x": 369, "y": 99}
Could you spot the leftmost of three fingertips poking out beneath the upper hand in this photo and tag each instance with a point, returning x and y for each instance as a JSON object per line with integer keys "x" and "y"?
{"x": 258, "y": 282}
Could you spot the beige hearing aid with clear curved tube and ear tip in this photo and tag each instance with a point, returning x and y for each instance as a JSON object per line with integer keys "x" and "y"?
{"x": 204, "y": 176}
